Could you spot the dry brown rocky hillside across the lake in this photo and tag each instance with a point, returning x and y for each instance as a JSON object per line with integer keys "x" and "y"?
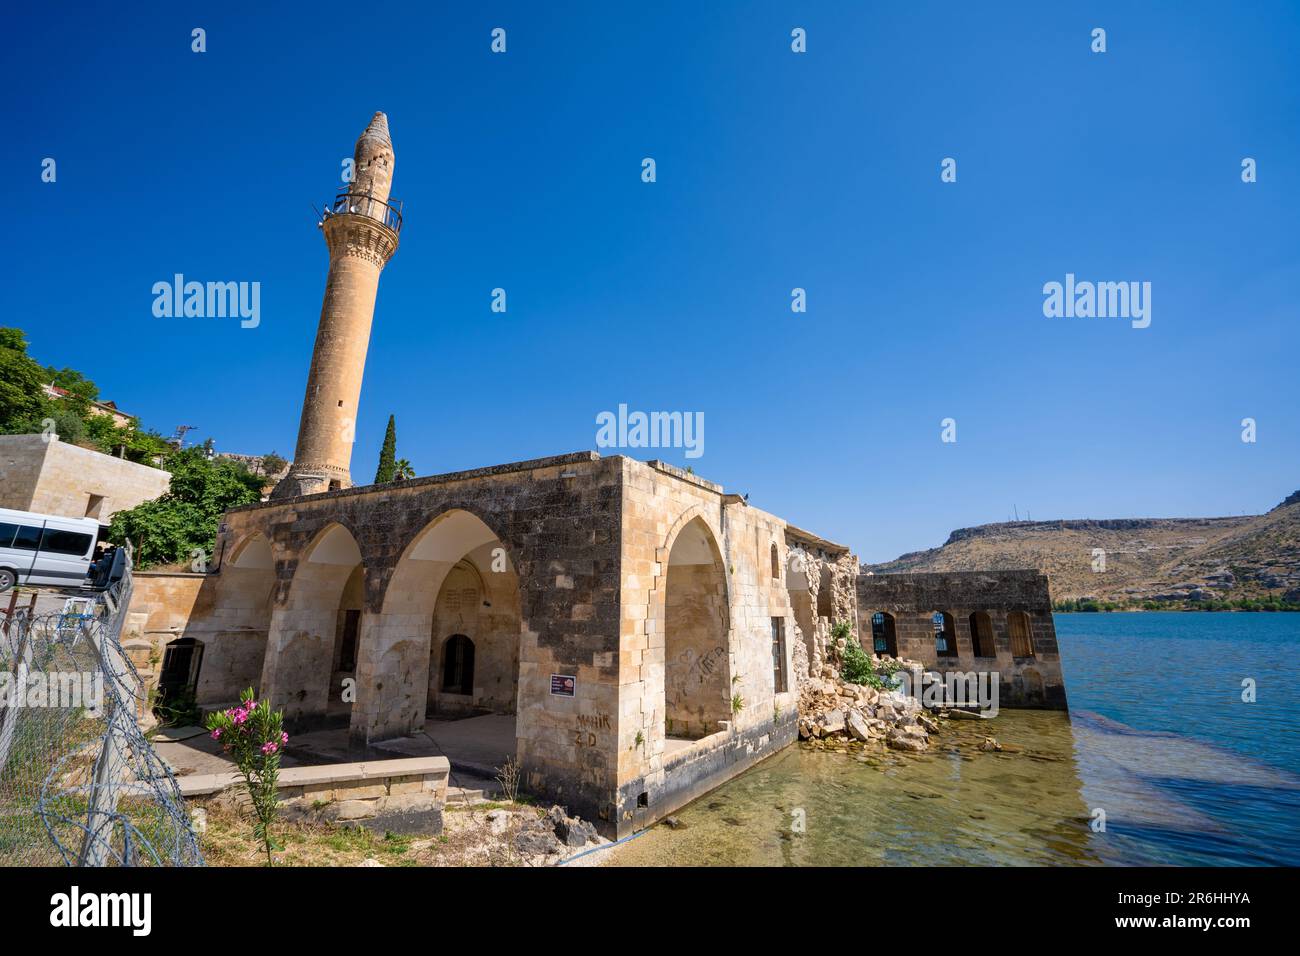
{"x": 1146, "y": 559}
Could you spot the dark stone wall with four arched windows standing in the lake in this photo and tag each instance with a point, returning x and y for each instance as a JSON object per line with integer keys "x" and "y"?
{"x": 913, "y": 599}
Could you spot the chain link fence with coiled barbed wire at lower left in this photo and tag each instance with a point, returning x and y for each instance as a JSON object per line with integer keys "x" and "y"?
{"x": 80, "y": 784}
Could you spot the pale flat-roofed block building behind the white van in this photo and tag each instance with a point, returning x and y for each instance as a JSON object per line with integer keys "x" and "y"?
{"x": 59, "y": 479}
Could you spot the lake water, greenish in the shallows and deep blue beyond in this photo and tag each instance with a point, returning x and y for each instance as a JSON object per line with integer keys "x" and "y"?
{"x": 1159, "y": 739}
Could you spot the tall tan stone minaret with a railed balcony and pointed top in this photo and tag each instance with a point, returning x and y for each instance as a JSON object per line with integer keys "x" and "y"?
{"x": 362, "y": 233}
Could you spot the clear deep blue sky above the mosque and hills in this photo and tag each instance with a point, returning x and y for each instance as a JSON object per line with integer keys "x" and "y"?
{"x": 774, "y": 171}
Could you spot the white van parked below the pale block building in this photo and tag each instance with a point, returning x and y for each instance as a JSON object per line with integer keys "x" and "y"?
{"x": 45, "y": 550}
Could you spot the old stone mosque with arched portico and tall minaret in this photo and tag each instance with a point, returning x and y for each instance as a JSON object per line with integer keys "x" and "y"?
{"x": 645, "y": 629}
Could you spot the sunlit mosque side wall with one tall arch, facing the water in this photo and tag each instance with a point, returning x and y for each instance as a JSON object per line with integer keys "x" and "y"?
{"x": 729, "y": 659}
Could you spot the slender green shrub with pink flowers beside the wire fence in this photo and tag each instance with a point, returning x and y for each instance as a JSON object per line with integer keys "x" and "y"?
{"x": 254, "y": 737}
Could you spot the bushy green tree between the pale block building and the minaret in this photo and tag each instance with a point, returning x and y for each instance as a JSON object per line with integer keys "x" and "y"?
{"x": 171, "y": 530}
